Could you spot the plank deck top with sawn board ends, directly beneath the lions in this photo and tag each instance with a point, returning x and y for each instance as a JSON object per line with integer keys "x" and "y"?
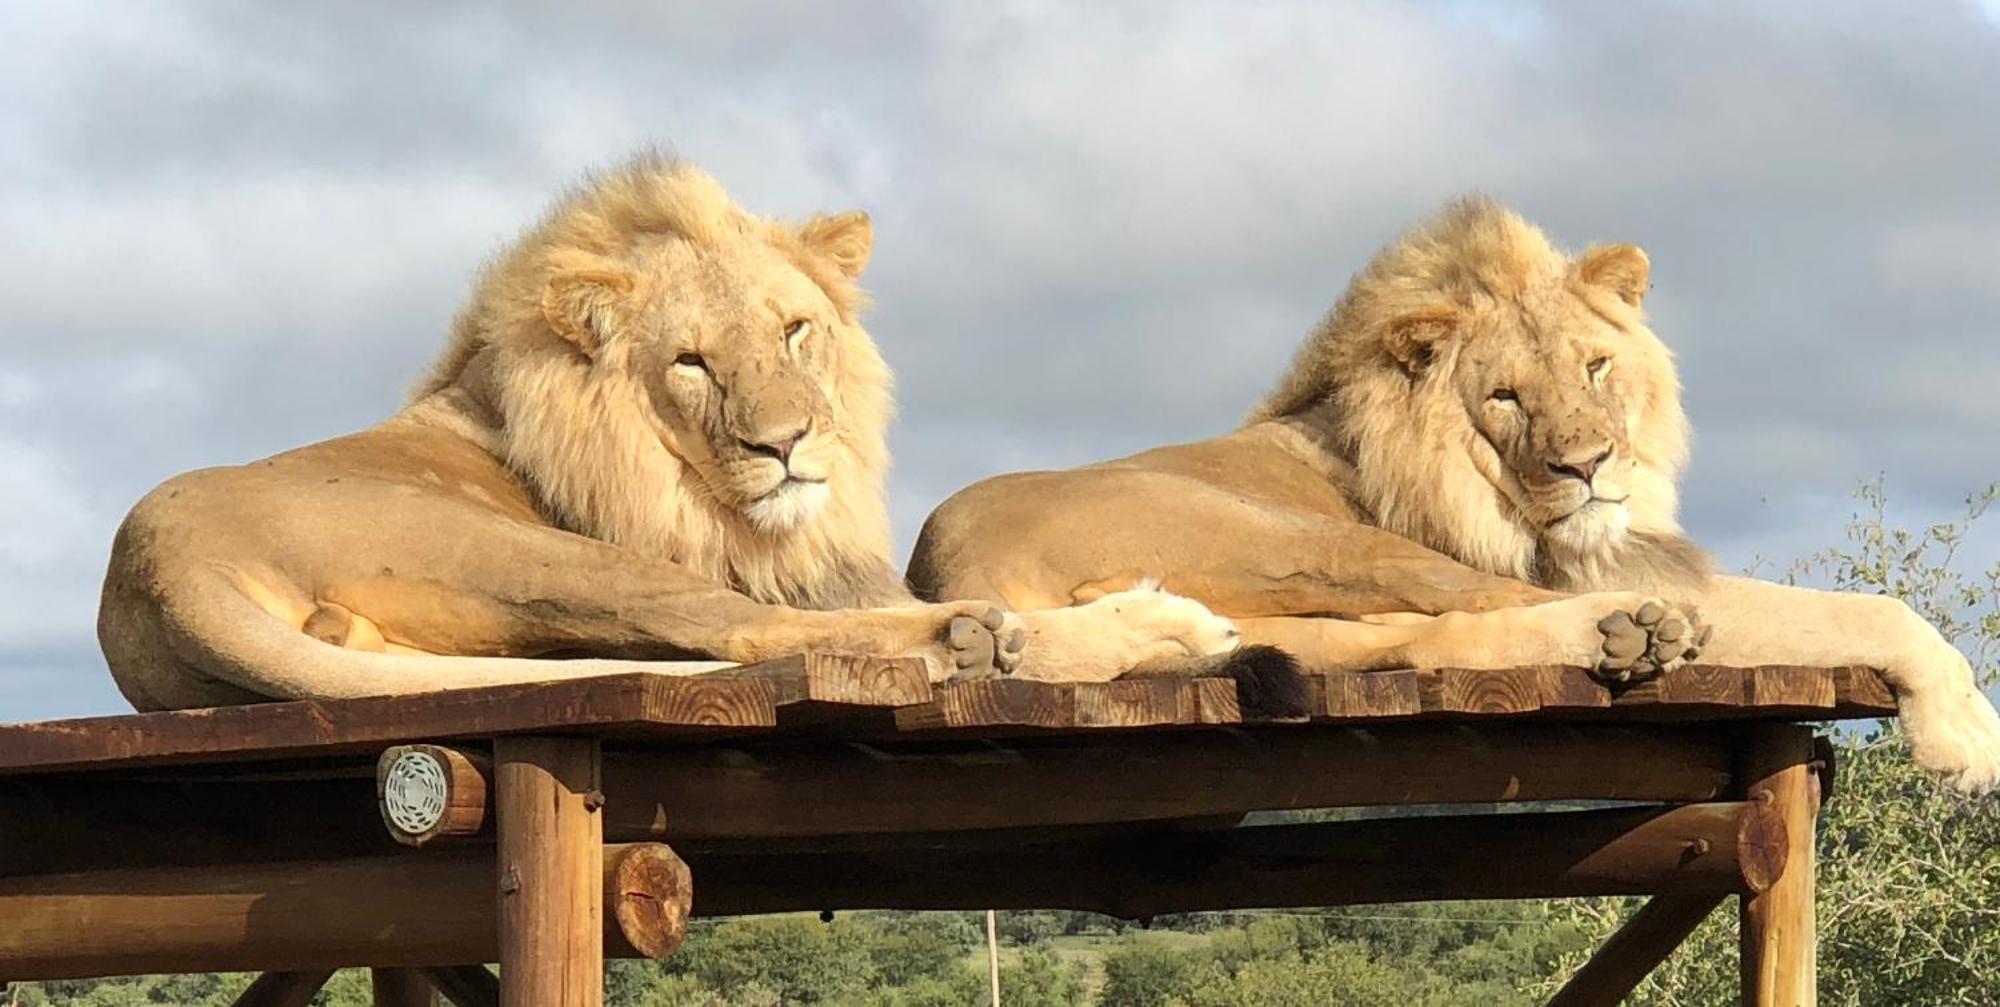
{"x": 857, "y": 696}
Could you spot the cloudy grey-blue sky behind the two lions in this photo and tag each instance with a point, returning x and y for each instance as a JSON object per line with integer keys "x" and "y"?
{"x": 233, "y": 229}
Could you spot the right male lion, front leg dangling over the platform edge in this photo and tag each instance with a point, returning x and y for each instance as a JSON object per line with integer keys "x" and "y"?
{"x": 1487, "y": 433}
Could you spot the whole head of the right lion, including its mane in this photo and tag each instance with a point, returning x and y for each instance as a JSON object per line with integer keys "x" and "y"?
{"x": 1501, "y": 401}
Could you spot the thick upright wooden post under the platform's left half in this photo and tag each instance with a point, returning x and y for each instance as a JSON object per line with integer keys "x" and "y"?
{"x": 551, "y": 872}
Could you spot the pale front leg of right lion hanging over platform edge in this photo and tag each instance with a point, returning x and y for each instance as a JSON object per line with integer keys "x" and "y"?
{"x": 1951, "y": 724}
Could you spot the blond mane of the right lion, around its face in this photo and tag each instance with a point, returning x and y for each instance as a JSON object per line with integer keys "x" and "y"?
{"x": 1407, "y": 439}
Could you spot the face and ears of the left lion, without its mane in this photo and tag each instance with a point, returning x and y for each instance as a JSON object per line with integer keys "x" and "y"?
{"x": 735, "y": 353}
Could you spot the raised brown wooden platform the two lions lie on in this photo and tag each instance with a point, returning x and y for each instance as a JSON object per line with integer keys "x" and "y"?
{"x": 255, "y": 838}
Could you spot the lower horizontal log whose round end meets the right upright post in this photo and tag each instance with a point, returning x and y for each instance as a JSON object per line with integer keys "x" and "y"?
{"x": 1713, "y": 848}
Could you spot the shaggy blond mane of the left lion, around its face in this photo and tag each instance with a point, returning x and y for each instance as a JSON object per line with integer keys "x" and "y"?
{"x": 579, "y": 435}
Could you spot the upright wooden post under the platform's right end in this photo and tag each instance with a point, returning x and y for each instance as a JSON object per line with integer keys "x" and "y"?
{"x": 1779, "y": 940}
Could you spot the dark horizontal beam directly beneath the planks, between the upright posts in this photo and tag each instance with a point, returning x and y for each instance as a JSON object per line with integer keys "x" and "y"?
{"x": 833, "y": 790}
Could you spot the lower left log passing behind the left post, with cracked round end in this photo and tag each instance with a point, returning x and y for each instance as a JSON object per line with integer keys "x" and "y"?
{"x": 403, "y": 910}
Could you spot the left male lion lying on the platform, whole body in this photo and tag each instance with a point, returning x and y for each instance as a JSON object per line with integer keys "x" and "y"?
{"x": 657, "y": 435}
